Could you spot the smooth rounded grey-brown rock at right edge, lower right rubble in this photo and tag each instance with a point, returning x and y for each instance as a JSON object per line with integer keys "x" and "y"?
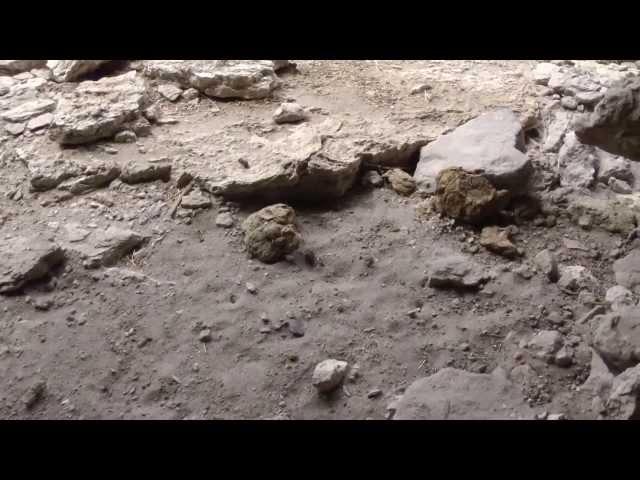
{"x": 617, "y": 338}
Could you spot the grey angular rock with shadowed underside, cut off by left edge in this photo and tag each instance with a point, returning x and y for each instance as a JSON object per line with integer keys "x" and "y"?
{"x": 25, "y": 260}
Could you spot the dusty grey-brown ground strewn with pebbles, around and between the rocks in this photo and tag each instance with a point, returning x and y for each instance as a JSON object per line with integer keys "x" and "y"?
{"x": 114, "y": 348}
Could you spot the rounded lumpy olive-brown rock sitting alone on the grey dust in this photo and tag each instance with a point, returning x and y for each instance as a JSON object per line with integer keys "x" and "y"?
{"x": 270, "y": 234}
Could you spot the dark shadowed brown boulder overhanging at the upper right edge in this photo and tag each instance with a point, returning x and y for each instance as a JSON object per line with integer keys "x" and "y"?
{"x": 614, "y": 125}
